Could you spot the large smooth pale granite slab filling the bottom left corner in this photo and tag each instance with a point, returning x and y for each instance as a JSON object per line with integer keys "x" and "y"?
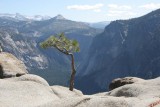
{"x": 22, "y": 93}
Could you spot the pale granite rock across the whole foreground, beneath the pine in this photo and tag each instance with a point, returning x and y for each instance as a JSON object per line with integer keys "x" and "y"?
{"x": 29, "y": 90}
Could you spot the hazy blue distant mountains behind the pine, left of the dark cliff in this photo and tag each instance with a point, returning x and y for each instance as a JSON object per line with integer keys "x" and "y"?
{"x": 22, "y": 38}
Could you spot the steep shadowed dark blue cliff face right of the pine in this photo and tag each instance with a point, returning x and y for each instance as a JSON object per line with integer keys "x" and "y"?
{"x": 125, "y": 48}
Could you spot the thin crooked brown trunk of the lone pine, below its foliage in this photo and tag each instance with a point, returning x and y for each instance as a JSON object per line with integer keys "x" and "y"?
{"x": 72, "y": 74}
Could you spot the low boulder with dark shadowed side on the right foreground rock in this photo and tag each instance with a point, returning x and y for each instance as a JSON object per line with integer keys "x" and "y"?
{"x": 123, "y": 81}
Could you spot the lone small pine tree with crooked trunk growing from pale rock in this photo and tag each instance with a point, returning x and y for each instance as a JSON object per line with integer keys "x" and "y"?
{"x": 67, "y": 47}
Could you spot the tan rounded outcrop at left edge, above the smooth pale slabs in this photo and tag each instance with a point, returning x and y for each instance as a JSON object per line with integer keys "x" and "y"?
{"x": 11, "y": 66}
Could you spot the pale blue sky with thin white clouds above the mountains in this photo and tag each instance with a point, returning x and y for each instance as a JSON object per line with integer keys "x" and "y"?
{"x": 81, "y": 10}
